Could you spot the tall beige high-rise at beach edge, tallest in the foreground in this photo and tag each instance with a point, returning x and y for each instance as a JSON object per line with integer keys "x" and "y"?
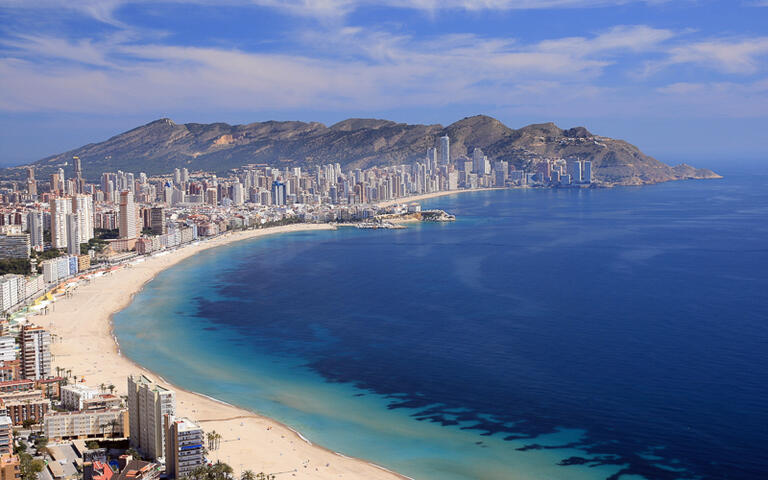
{"x": 148, "y": 403}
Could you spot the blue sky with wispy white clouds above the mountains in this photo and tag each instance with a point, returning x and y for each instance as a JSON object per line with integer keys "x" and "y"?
{"x": 685, "y": 80}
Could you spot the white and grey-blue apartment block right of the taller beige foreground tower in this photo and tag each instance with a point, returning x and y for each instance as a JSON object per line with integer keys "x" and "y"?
{"x": 183, "y": 447}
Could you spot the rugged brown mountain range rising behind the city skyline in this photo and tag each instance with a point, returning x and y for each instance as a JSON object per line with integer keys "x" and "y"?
{"x": 160, "y": 146}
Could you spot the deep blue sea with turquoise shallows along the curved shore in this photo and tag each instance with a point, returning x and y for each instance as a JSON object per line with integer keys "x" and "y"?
{"x": 547, "y": 334}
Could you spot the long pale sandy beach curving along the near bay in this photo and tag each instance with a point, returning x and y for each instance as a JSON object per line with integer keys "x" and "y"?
{"x": 83, "y": 342}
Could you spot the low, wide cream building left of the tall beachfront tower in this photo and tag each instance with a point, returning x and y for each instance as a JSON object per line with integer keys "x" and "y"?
{"x": 111, "y": 422}
